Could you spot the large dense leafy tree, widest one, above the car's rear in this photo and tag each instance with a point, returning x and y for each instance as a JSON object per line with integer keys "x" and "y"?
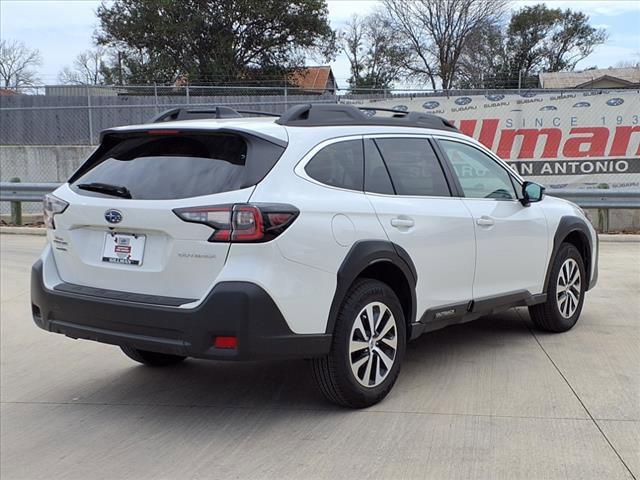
{"x": 211, "y": 40}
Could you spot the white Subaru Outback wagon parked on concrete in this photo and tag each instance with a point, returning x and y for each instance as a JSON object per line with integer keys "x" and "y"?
{"x": 331, "y": 232}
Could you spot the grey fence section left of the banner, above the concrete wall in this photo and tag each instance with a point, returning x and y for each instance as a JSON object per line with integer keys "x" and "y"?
{"x": 75, "y": 115}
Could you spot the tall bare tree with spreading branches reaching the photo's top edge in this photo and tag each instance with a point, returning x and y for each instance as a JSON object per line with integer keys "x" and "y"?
{"x": 437, "y": 30}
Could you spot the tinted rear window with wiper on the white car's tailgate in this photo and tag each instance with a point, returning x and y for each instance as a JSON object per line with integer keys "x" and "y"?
{"x": 162, "y": 167}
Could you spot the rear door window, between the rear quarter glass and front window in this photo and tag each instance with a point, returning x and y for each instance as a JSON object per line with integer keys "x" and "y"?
{"x": 413, "y": 166}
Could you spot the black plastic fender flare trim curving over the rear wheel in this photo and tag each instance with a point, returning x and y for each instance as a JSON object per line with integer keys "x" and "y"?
{"x": 362, "y": 254}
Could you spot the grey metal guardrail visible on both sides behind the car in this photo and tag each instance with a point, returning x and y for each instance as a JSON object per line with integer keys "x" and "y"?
{"x": 601, "y": 198}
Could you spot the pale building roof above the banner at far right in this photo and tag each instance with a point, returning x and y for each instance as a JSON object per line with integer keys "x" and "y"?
{"x": 626, "y": 76}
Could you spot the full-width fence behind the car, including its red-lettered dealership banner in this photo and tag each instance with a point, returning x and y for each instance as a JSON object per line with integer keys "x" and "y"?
{"x": 562, "y": 138}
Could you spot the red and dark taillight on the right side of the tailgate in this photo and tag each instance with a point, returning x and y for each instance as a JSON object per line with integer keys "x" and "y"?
{"x": 241, "y": 222}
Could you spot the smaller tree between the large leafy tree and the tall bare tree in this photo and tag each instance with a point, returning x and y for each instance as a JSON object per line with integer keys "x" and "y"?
{"x": 369, "y": 44}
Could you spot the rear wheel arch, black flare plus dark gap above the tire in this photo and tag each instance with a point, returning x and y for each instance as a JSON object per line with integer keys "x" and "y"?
{"x": 380, "y": 260}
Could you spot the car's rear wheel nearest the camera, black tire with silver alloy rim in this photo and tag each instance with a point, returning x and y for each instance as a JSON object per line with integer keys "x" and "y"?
{"x": 364, "y": 376}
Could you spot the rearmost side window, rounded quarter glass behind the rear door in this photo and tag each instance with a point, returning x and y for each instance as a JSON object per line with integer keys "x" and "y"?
{"x": 339, "y": 165}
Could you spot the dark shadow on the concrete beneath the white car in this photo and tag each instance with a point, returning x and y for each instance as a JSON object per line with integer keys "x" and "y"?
{"x": 289, "y": 385}
